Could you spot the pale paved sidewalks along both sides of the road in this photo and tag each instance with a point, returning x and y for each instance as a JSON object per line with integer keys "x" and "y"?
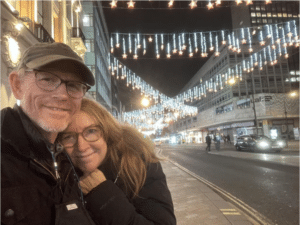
{"x": 199, "y": 202}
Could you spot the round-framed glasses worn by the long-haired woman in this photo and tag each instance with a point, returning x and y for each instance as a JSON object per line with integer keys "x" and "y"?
{"x": 90, "y": 134}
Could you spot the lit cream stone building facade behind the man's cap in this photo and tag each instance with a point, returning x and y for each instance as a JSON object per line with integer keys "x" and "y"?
{"x": 24, "y": 23}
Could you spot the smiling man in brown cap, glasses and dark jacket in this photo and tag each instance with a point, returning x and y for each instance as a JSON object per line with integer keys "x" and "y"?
{"x": 38, "y": 185}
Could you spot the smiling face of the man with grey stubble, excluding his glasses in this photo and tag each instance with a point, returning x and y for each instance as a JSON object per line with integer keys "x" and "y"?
{"x": 50, "y": 110}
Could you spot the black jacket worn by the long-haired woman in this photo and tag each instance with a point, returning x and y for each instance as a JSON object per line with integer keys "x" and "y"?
{"x": 108, "y": 203}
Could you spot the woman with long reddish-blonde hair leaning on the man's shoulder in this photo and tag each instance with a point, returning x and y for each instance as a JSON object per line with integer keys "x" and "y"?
{"x": 121, "y": 177}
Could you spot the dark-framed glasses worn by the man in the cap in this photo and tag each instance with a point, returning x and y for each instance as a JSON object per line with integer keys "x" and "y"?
{"x": 49, "y": 82}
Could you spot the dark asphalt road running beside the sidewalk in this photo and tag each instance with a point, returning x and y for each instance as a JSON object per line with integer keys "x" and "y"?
{"x": 270, "y": 188}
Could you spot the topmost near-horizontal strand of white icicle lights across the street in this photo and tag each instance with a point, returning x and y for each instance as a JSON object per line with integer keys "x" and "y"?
{"x": 185, "y": 43}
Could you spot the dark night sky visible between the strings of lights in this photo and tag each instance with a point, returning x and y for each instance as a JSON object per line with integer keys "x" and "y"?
{"x": 167, "y": 75}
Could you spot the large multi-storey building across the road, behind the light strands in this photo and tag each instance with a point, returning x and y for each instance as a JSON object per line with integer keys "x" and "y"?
{"x": 258, "y": 103}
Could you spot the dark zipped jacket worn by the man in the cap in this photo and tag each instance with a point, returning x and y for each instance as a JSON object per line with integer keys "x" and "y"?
{"x": 29, "y": 187}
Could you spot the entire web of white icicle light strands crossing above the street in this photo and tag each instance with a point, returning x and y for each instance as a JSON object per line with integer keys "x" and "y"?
{"x": 281, "y": 36}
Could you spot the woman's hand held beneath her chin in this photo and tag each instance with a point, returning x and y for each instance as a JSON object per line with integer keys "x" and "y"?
{"x": 92, "y": 180}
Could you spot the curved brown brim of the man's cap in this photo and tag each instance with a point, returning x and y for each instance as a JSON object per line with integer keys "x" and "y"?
{"x": 45, "y": 60}
